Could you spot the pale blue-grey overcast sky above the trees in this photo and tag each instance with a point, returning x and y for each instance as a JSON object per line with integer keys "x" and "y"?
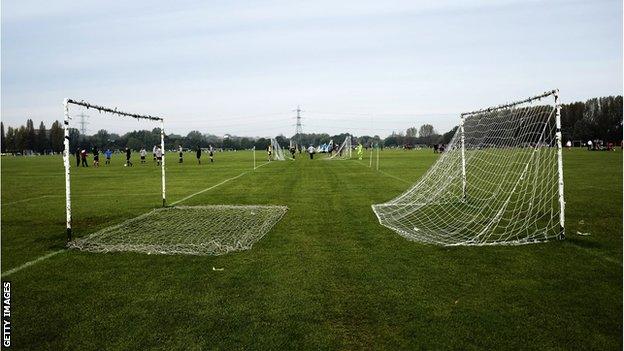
{"x": 241, "y": 67}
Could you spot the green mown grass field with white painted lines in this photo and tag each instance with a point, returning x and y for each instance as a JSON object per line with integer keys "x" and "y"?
{"x": 327, "y": 276}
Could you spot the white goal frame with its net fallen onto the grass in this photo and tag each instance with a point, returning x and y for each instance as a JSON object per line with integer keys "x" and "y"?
{"x": 66, "y": 151}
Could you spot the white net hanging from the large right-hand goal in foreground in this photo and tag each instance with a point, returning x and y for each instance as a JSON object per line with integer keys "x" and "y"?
{"x": 499, "y": 181}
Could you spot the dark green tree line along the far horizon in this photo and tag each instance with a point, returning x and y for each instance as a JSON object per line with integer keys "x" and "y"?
{"x": 597, "y": 118}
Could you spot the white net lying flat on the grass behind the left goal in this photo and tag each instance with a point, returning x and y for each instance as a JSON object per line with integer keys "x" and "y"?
{"x": 190, "y": 230}
